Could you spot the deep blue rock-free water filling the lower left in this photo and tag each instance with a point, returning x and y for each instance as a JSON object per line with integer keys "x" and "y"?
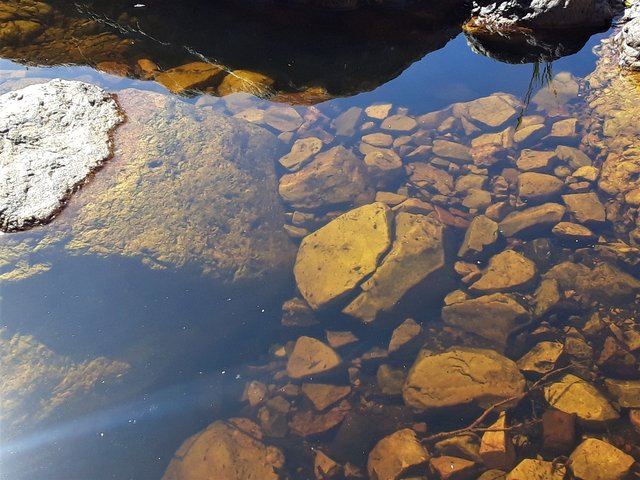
{"x": 185, "y": 338}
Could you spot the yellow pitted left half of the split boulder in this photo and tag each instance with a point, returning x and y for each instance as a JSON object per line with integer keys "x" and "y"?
{"x": 333, "y": 260}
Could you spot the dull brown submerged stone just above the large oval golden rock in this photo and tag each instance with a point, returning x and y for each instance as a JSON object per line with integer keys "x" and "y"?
{"x": 493, "y": 317}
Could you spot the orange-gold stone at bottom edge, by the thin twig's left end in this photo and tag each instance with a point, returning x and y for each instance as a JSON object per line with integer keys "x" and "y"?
{"x": 395, "y": 455}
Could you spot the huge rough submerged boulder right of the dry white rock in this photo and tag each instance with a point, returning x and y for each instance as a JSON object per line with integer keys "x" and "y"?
{"x": 176, "y": 193}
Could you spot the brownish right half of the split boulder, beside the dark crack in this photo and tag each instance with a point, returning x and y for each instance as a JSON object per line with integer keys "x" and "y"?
{"x": 417, "y": 255}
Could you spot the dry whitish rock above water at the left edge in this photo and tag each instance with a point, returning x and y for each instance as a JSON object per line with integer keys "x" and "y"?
{"x": 52, "y": 136}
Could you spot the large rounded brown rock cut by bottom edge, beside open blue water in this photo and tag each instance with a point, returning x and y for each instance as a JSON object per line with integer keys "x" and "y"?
{"x": 232, "y": 450}
